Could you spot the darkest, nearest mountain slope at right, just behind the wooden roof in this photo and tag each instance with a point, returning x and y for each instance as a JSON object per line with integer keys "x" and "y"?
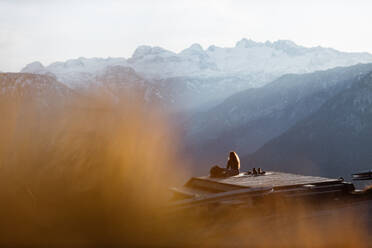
{"x": 335, "y": 140}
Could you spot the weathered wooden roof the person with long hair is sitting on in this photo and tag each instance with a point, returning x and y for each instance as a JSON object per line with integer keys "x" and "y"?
{"x": 241, "y": 189}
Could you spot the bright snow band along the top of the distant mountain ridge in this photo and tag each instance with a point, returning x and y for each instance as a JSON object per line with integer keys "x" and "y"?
{"x": 247, "y": 57}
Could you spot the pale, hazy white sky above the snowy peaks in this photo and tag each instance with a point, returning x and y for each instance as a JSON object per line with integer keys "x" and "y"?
{"x": 49, "y": 31}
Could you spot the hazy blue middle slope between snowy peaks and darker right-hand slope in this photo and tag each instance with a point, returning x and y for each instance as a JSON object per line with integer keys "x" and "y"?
{"x": 247, "y": 120}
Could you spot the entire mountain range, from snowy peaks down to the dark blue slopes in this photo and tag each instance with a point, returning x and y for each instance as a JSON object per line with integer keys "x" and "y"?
{"x": 279, "y": 105}
